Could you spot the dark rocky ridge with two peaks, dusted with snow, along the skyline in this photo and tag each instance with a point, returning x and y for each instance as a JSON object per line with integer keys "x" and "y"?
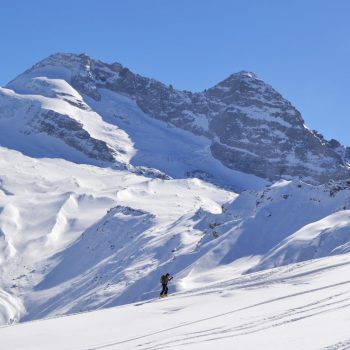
{"x": 252, "y": 128}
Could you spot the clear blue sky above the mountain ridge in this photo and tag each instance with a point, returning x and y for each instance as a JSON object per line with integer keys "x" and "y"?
{"x": 300, "y": 47}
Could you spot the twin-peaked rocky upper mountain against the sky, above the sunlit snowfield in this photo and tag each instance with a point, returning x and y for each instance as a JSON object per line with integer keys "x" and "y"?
{"x": 241, "y": 122}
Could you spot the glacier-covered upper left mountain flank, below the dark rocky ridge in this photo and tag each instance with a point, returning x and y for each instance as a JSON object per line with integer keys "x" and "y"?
{"x": 53, "y": 120}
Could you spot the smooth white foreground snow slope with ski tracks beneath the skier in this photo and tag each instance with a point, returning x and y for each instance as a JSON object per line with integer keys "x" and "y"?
{"x": 300, "y": 306}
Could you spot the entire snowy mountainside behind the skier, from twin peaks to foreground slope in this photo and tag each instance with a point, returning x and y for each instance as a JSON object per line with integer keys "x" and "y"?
{"x": 108, "y": 179}
